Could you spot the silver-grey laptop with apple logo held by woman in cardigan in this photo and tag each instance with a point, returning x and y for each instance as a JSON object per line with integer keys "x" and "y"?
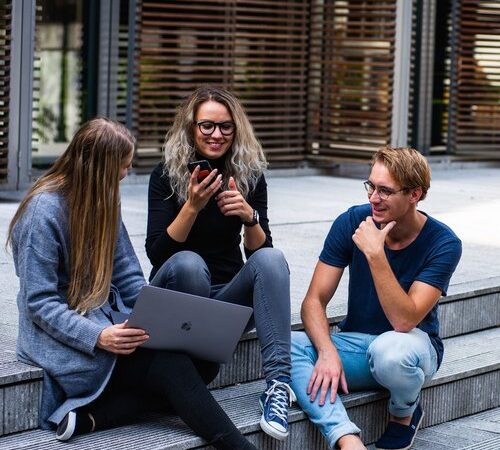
{"x": 202, "y": 327}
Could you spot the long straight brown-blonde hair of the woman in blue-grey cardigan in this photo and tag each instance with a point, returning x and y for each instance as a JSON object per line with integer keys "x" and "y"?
{"x": 88, "y": 176}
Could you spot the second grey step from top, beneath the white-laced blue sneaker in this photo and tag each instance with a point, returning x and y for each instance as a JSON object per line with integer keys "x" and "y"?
{"x": 467, "y": 383}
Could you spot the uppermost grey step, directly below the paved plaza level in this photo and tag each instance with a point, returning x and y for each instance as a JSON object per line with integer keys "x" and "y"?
{"x": 468, "y": 307}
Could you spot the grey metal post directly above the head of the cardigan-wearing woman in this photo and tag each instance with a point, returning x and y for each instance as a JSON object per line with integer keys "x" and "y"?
{"x": 107, "y": 79}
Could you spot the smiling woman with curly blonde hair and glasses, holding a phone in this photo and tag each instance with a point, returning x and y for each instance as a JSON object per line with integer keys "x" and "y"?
{"x": 195, "y": 221}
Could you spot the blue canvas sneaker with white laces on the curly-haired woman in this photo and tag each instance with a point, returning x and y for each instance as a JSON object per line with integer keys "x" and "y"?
{"x": 274, "y": 404}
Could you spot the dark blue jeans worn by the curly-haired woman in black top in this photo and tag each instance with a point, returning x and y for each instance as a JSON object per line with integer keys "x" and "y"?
{"x": 262, "y": 283}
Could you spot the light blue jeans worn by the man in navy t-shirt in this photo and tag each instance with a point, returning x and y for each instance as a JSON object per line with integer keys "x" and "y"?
{"x": 399, "y": 362}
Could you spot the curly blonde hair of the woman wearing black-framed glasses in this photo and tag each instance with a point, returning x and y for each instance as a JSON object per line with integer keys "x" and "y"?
{"x": 245, "y": 161}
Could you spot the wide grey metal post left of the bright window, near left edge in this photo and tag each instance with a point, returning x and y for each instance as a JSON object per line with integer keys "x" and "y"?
{"x": 21, "y": 94}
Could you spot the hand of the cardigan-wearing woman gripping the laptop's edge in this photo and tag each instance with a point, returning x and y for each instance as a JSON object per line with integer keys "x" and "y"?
{"x": 121, "y": 340}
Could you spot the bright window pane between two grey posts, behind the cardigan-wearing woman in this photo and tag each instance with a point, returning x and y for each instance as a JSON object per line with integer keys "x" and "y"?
{"x": 58, "y": 49}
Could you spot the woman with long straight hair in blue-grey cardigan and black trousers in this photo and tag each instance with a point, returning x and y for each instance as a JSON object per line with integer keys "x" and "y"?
{"x": 76, "y": 265}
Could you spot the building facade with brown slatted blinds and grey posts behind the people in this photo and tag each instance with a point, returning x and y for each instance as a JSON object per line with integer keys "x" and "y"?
{"x": 323, "y": 81}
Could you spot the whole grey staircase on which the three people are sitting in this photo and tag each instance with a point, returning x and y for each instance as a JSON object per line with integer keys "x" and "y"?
{"x": 467, "y": 383}
